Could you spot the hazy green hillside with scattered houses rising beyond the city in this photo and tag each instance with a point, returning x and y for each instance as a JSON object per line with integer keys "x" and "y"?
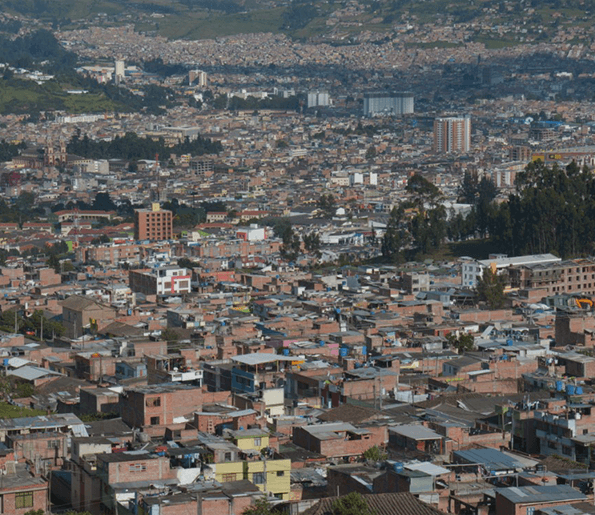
{"x": 498, "y": 23}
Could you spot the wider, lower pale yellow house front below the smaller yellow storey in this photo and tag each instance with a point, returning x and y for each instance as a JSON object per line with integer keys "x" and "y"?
{"x": 272, "y": 476}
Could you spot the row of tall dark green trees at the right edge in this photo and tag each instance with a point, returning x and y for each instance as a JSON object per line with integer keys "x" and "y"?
{"x": 551, "y": 210}
